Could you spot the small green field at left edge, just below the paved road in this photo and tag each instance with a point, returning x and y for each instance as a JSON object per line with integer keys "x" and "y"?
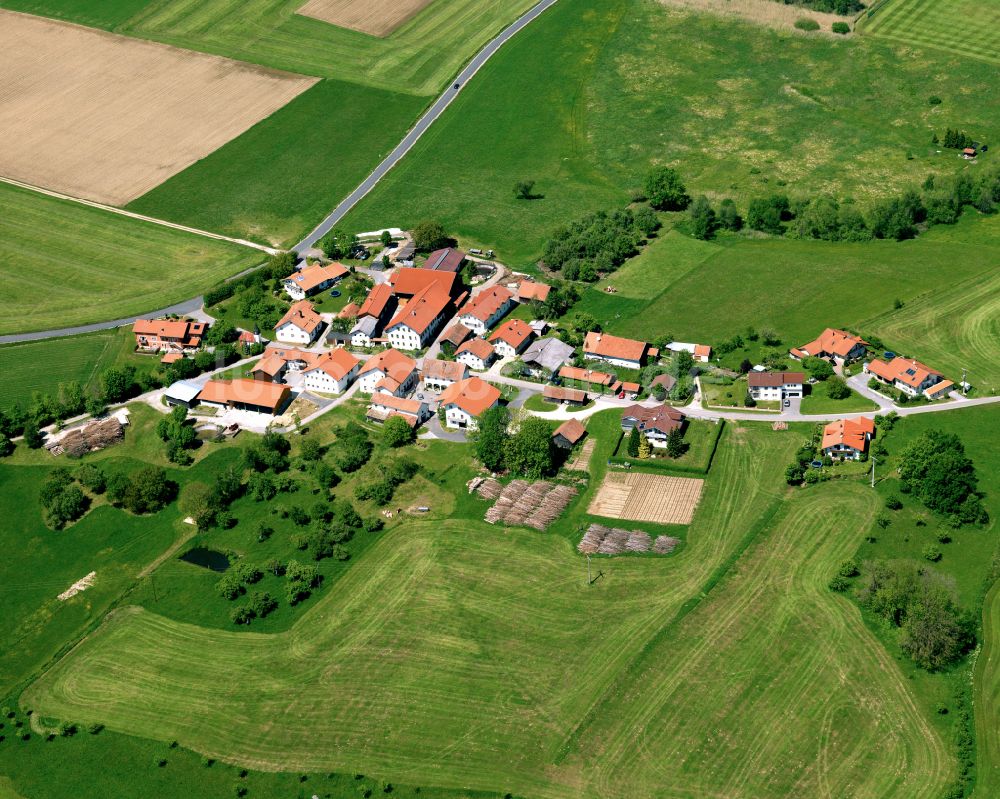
{"x": 42, "y": 365}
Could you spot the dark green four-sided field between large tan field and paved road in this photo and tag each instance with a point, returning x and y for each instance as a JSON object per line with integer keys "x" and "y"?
{"x": 277, "y": 180}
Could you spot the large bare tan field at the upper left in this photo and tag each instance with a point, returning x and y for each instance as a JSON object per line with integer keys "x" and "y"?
{"x": 107, "y": 118}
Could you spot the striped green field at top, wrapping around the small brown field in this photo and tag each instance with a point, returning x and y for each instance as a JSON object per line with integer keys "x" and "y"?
{"x": 418, "y": 57}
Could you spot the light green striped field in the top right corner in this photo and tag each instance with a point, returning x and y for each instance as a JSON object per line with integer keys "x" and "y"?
{"x": 969, "y": 28}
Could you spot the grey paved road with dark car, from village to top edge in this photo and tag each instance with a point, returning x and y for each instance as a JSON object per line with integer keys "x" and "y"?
{"x": 422, "y": 125}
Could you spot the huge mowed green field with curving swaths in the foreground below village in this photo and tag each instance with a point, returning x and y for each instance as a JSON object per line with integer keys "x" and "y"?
{"x": 431, "y": 662}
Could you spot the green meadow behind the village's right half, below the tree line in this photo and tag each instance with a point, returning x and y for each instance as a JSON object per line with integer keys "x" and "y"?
{"x": 945, "y": 280}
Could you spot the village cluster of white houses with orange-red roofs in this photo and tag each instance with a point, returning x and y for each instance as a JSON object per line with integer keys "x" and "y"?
{"x": 438, "y": 340}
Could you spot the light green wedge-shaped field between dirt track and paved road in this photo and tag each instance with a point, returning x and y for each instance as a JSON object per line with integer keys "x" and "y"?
{"x": 93, "y": 265}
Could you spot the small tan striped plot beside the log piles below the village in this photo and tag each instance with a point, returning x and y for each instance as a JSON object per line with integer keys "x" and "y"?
{"x": 647, "y": 498}
